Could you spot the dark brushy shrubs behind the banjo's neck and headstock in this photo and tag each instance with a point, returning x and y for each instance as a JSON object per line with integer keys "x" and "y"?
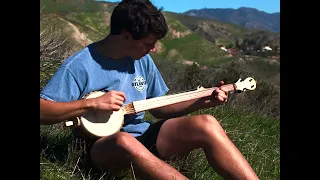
{"x": 263, "y": 100}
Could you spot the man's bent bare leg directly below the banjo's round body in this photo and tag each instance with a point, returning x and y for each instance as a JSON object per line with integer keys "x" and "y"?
{"x": 117, "y": 151}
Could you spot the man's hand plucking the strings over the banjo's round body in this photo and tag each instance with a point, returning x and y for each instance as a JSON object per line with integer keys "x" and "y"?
{"x": 110, "y": 101}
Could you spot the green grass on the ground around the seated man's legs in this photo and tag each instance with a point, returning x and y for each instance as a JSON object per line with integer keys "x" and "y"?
{"x": 256, "y": 137}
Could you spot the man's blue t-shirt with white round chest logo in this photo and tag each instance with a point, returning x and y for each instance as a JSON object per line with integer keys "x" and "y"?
{"x": 87, "y": 71}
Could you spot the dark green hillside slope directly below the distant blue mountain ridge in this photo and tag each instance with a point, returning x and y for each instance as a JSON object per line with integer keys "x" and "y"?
{"x": 223, "y": 33}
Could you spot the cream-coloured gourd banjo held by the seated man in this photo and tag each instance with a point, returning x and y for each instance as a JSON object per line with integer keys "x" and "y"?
{"x": 100, "y": 124}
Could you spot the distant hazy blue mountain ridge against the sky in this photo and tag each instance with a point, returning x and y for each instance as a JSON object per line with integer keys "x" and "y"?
{"x": 244, "y": 16}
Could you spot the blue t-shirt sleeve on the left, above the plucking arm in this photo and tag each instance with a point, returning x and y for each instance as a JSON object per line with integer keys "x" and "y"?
{"x": 62, "y": 87}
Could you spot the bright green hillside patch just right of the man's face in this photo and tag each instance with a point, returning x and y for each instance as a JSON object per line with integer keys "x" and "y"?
{"x": 181, "y": 44}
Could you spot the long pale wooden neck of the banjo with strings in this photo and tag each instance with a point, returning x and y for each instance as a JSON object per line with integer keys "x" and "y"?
{"x": 148, "y": 104}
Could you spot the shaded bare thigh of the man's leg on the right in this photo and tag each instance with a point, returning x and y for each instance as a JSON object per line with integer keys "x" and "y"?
{"x": 179, "y": 136}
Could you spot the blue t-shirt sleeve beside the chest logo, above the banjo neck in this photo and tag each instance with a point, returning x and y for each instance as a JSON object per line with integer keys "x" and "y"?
{"x": 156, "y": 85}
